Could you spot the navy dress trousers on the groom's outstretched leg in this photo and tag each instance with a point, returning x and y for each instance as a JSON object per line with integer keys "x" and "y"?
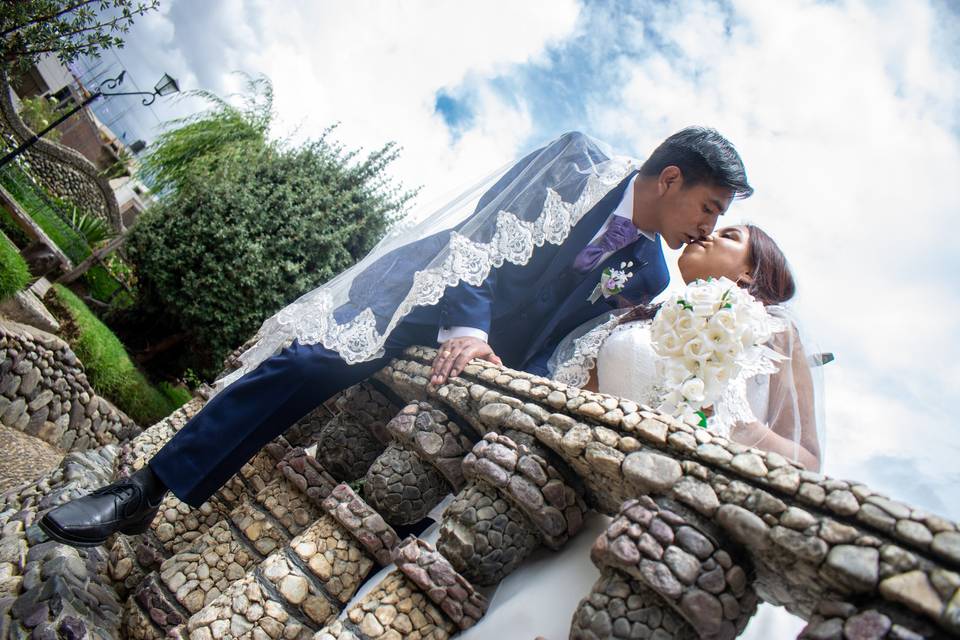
{"x": 261, "y": 405}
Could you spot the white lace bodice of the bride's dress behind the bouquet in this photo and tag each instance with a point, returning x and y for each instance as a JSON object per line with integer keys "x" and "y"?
{"x": 627, "y": 367}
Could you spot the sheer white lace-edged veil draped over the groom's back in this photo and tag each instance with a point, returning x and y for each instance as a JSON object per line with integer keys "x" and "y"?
{"x": 503, "y": 218}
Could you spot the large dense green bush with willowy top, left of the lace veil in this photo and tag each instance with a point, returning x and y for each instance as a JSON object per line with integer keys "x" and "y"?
{"x": 244, "y": 225}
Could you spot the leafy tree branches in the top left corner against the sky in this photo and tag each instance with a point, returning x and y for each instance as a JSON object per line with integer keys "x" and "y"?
{"x": 66, "y": 28}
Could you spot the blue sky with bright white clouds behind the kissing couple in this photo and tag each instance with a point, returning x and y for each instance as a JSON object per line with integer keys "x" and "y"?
{"x": 846, "y": 114}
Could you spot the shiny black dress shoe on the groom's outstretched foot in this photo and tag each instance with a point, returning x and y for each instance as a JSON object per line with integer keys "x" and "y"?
{"x": 127, "y": 506}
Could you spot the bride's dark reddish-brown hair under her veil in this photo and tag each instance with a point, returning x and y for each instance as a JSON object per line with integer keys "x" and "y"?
{"x": 772, "y": 279}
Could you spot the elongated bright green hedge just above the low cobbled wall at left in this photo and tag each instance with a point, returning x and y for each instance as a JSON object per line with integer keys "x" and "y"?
{"x": 111, "y": 372}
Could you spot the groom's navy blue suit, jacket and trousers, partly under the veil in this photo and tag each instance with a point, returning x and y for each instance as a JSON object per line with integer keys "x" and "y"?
{"x": 526, "y": 310}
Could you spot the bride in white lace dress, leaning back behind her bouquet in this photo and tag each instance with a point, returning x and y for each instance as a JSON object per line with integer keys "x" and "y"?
{"x": 771, "y": 405}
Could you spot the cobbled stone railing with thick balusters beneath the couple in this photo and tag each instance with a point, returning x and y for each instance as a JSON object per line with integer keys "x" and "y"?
{"x": 703, "y": 528}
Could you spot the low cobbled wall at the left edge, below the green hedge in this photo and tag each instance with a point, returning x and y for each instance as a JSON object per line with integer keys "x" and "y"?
{"x": 45, "y": 393}
